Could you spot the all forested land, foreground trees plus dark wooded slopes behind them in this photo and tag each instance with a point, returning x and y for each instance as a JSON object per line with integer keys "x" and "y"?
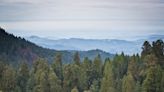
{"x": 122, "y": 73}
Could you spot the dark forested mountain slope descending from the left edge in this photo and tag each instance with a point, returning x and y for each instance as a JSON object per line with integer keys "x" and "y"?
{"x": 15, "y": 49}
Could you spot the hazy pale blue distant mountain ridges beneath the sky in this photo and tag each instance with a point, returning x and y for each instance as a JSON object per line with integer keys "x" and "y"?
{"x": 108, "y": 45}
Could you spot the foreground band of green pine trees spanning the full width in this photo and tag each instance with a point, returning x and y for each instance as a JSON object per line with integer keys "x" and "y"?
{"x": 123, "y": 73}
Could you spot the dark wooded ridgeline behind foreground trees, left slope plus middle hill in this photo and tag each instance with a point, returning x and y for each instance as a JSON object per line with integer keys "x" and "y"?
{"x": 16, "y": 49}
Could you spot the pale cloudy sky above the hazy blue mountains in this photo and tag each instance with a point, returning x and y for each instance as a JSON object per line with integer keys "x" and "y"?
{"x": 90, "y": 19}
